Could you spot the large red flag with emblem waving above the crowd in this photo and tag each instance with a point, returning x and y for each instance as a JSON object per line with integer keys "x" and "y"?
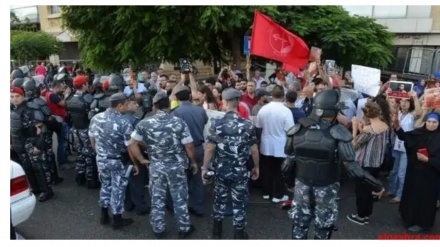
{"x": 272, "y": 41}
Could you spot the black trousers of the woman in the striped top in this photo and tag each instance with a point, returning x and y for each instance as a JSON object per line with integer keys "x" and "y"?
{"x": 364, "y": 198}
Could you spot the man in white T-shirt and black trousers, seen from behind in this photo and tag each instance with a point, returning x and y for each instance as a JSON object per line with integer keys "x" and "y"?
{"x": 273, "y": 122}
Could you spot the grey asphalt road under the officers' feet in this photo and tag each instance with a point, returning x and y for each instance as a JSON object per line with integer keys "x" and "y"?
{"x": 74, "y": 214}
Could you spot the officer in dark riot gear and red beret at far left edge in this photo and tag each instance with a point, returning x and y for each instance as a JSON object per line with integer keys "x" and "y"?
{"x": 26, "y": 125}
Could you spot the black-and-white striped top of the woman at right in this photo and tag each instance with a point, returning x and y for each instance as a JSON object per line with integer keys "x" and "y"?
{"x": 370, "y": 148}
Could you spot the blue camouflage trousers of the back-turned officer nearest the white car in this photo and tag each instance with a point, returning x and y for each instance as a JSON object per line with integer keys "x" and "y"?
{"x": 113, "y": 184}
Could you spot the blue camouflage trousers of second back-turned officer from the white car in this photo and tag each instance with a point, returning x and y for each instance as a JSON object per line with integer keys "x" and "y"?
{"x": 163, "y": 175}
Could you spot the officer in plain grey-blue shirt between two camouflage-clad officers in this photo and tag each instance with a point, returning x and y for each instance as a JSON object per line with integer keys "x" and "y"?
{"x": 195, "y": 117}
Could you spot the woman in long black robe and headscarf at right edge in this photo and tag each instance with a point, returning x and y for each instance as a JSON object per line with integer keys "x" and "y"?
{"x": 418, "y": 203}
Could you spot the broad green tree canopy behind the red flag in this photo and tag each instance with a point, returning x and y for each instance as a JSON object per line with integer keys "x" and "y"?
{"x": 112, "y": 35}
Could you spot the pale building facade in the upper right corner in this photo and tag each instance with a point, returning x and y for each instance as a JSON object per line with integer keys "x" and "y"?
{"x": 417, "y": 35}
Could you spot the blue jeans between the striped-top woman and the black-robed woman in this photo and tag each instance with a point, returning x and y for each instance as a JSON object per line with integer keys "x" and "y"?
{"x": 397, "y": 176}
